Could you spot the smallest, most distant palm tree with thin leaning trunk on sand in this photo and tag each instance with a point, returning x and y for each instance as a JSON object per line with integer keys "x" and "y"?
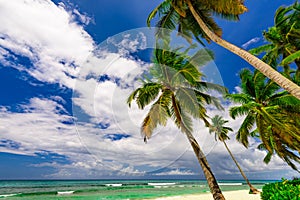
{"x": 221, "y": 132}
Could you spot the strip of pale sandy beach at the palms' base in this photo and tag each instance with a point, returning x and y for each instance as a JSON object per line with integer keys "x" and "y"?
{"x": 229, "y": 195}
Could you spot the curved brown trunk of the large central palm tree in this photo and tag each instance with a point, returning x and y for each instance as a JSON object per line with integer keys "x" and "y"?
{"x": 211, "y": 180}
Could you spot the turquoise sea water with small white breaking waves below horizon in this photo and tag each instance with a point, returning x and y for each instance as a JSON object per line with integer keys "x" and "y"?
{"x": 110, "y": 189}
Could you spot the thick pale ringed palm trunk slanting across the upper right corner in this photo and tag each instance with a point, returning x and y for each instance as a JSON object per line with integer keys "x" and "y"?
{"x": 264, "y": 68}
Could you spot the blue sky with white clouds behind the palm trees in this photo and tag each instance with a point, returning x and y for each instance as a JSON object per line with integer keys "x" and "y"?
{"x": 66, "y": 69}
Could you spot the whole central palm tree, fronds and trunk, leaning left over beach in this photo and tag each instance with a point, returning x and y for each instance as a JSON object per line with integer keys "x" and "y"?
{"x": 174, "y": 90}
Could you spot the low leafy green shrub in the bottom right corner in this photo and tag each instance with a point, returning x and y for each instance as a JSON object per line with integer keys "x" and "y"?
{"x": 285, "y": 190}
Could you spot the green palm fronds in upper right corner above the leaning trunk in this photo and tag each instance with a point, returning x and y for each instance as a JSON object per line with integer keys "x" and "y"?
{"x": 283, "y": 39}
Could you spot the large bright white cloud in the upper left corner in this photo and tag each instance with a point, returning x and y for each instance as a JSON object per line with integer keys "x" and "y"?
{"x": 47, "y": 35}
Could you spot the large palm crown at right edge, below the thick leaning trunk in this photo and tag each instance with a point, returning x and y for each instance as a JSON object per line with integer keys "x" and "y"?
{"x": 275, "y": 113}
